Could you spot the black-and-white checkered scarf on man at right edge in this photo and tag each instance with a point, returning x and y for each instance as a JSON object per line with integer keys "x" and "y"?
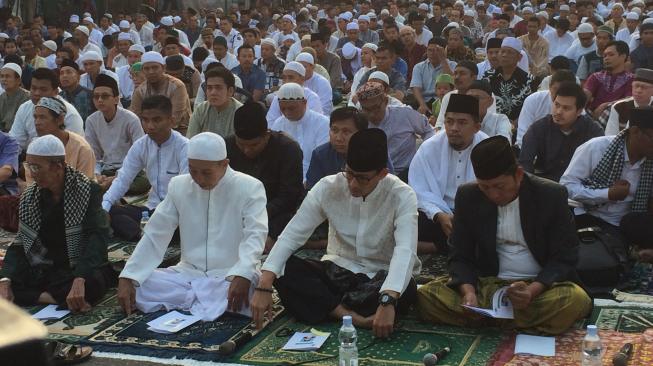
{"x": 609, "y": 170}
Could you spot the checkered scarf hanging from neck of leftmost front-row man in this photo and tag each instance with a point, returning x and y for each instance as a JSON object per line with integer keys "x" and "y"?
{"x": 76, "y": 195}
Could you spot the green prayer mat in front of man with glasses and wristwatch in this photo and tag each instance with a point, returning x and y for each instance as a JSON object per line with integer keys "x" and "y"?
{"x": 407, "y": 345}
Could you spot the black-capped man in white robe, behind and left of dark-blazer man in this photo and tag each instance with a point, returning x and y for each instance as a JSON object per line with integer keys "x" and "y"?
{"x": 440, "y": 166}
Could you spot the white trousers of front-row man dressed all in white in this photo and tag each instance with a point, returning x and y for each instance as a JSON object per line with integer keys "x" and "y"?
{"x": 205, "y": 297}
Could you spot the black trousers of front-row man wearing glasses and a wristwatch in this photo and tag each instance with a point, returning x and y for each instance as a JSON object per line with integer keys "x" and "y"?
{"x": 311, "y": 289}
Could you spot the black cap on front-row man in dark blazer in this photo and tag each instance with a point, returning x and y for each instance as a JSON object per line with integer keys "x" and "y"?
{"x": 492, "y": 157}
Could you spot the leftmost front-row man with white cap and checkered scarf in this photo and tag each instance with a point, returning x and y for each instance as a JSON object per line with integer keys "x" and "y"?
{"x": 60, "y": 253}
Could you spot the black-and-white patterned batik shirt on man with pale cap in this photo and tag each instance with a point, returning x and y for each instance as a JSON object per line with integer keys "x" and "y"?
{"x": 510, "y": 94}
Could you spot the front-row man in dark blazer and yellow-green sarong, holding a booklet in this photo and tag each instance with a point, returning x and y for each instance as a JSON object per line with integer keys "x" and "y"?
{"x": 510, "y": 229}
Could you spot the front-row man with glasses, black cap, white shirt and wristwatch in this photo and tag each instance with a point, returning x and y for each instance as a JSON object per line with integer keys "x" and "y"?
{"x": 367, "y": 271}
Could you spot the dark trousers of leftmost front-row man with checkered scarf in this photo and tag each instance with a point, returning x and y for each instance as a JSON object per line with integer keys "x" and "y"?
{"x": 27, "y": 291}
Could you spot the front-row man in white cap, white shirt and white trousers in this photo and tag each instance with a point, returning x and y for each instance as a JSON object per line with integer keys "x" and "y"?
{"x": 220, "y": 243}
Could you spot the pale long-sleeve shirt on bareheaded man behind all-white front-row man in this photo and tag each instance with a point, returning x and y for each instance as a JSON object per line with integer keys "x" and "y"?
{"x": 161, "y": 163}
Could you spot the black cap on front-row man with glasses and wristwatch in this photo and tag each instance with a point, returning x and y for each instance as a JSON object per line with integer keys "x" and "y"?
{"x": 368, "y": 150}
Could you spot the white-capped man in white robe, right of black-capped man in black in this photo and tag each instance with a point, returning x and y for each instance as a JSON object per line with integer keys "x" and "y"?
{"x": 310, "y": 129}
